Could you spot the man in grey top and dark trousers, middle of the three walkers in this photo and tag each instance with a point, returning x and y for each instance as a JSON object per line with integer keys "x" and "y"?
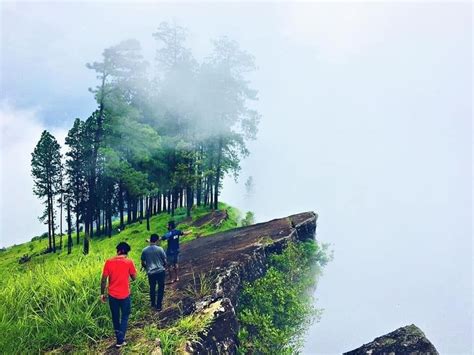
{"x": 154, "y": 262}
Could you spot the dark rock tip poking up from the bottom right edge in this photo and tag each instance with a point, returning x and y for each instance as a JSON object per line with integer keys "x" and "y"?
{"x": 409, "y": 340}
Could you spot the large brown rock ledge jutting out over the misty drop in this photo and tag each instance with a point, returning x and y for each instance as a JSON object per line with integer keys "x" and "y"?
{"x": 224, "y": 261}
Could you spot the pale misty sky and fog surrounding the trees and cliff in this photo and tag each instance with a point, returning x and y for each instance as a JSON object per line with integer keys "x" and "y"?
{"x": 366, "y": 120}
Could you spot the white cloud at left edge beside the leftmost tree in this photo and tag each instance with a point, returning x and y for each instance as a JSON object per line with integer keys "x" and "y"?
{"x": 20, "y": 130}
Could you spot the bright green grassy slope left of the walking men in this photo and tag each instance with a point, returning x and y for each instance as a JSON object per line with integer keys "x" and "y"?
{"x": 52, "y": 300}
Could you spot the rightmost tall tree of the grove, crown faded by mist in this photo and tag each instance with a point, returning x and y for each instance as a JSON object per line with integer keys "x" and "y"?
{"x": 227, "y": 118}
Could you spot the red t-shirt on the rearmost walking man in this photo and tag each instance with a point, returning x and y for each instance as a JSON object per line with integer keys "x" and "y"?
{"x": 118, "y": 270}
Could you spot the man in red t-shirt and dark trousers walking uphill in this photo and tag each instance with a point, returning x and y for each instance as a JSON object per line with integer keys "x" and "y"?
{"x": 118, "y": 270}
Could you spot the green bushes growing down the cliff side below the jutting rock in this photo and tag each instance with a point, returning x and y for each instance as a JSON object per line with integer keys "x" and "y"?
{"x": 275, "y": 310}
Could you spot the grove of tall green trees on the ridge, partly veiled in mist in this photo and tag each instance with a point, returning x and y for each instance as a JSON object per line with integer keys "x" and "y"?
{"x": 162, "y": 136}
